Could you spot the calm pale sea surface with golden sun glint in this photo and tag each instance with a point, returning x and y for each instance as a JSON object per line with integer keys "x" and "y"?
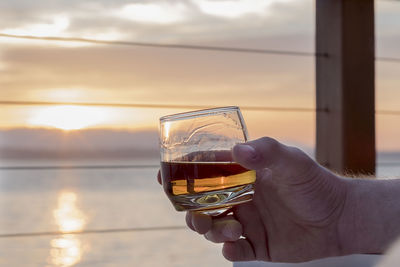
{"x": 126, "y": 217}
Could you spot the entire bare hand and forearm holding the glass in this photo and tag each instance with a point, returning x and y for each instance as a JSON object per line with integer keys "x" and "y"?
{"x": 301, "y": 211}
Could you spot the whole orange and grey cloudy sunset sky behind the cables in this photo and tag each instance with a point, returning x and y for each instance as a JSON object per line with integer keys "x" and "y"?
{"x": 35, "y": 70}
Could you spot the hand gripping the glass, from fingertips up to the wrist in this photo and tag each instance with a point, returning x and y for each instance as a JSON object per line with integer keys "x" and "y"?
{"x": 295, "y": 215}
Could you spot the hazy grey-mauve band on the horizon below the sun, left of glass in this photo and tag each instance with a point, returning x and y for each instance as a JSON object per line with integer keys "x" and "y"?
{"x": 25, "y": 143}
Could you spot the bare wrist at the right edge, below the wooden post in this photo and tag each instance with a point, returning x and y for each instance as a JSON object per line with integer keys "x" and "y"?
{"x": 368, "y": 224}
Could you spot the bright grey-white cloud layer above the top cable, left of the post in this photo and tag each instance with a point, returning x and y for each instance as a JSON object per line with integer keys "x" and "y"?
{"x": 187, "y": 21}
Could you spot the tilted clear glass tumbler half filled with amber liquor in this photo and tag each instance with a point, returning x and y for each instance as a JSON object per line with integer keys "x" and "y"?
{"x": 197, "y": 169}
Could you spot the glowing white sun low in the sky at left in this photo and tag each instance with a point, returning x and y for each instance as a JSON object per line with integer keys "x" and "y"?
{"x": 68, "y": 117}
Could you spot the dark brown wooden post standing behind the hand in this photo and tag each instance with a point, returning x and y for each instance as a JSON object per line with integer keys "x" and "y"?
{"x": 345, "y": 84}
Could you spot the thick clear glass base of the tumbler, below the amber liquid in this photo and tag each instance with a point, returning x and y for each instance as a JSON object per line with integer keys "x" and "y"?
{"x": 214, "y": 202}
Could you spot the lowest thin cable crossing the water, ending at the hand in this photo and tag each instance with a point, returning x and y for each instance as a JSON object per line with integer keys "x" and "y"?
{"x": 95, "y": 231}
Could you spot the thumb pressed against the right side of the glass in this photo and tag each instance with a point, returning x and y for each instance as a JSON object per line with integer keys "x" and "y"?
{"x": 269, "y": 153}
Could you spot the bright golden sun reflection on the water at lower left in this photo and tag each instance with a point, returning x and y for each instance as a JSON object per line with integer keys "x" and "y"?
{"x": 67, "y": 250}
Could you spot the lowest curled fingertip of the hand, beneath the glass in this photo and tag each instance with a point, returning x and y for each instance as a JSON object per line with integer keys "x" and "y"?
{"x": 240, "y": 250}
